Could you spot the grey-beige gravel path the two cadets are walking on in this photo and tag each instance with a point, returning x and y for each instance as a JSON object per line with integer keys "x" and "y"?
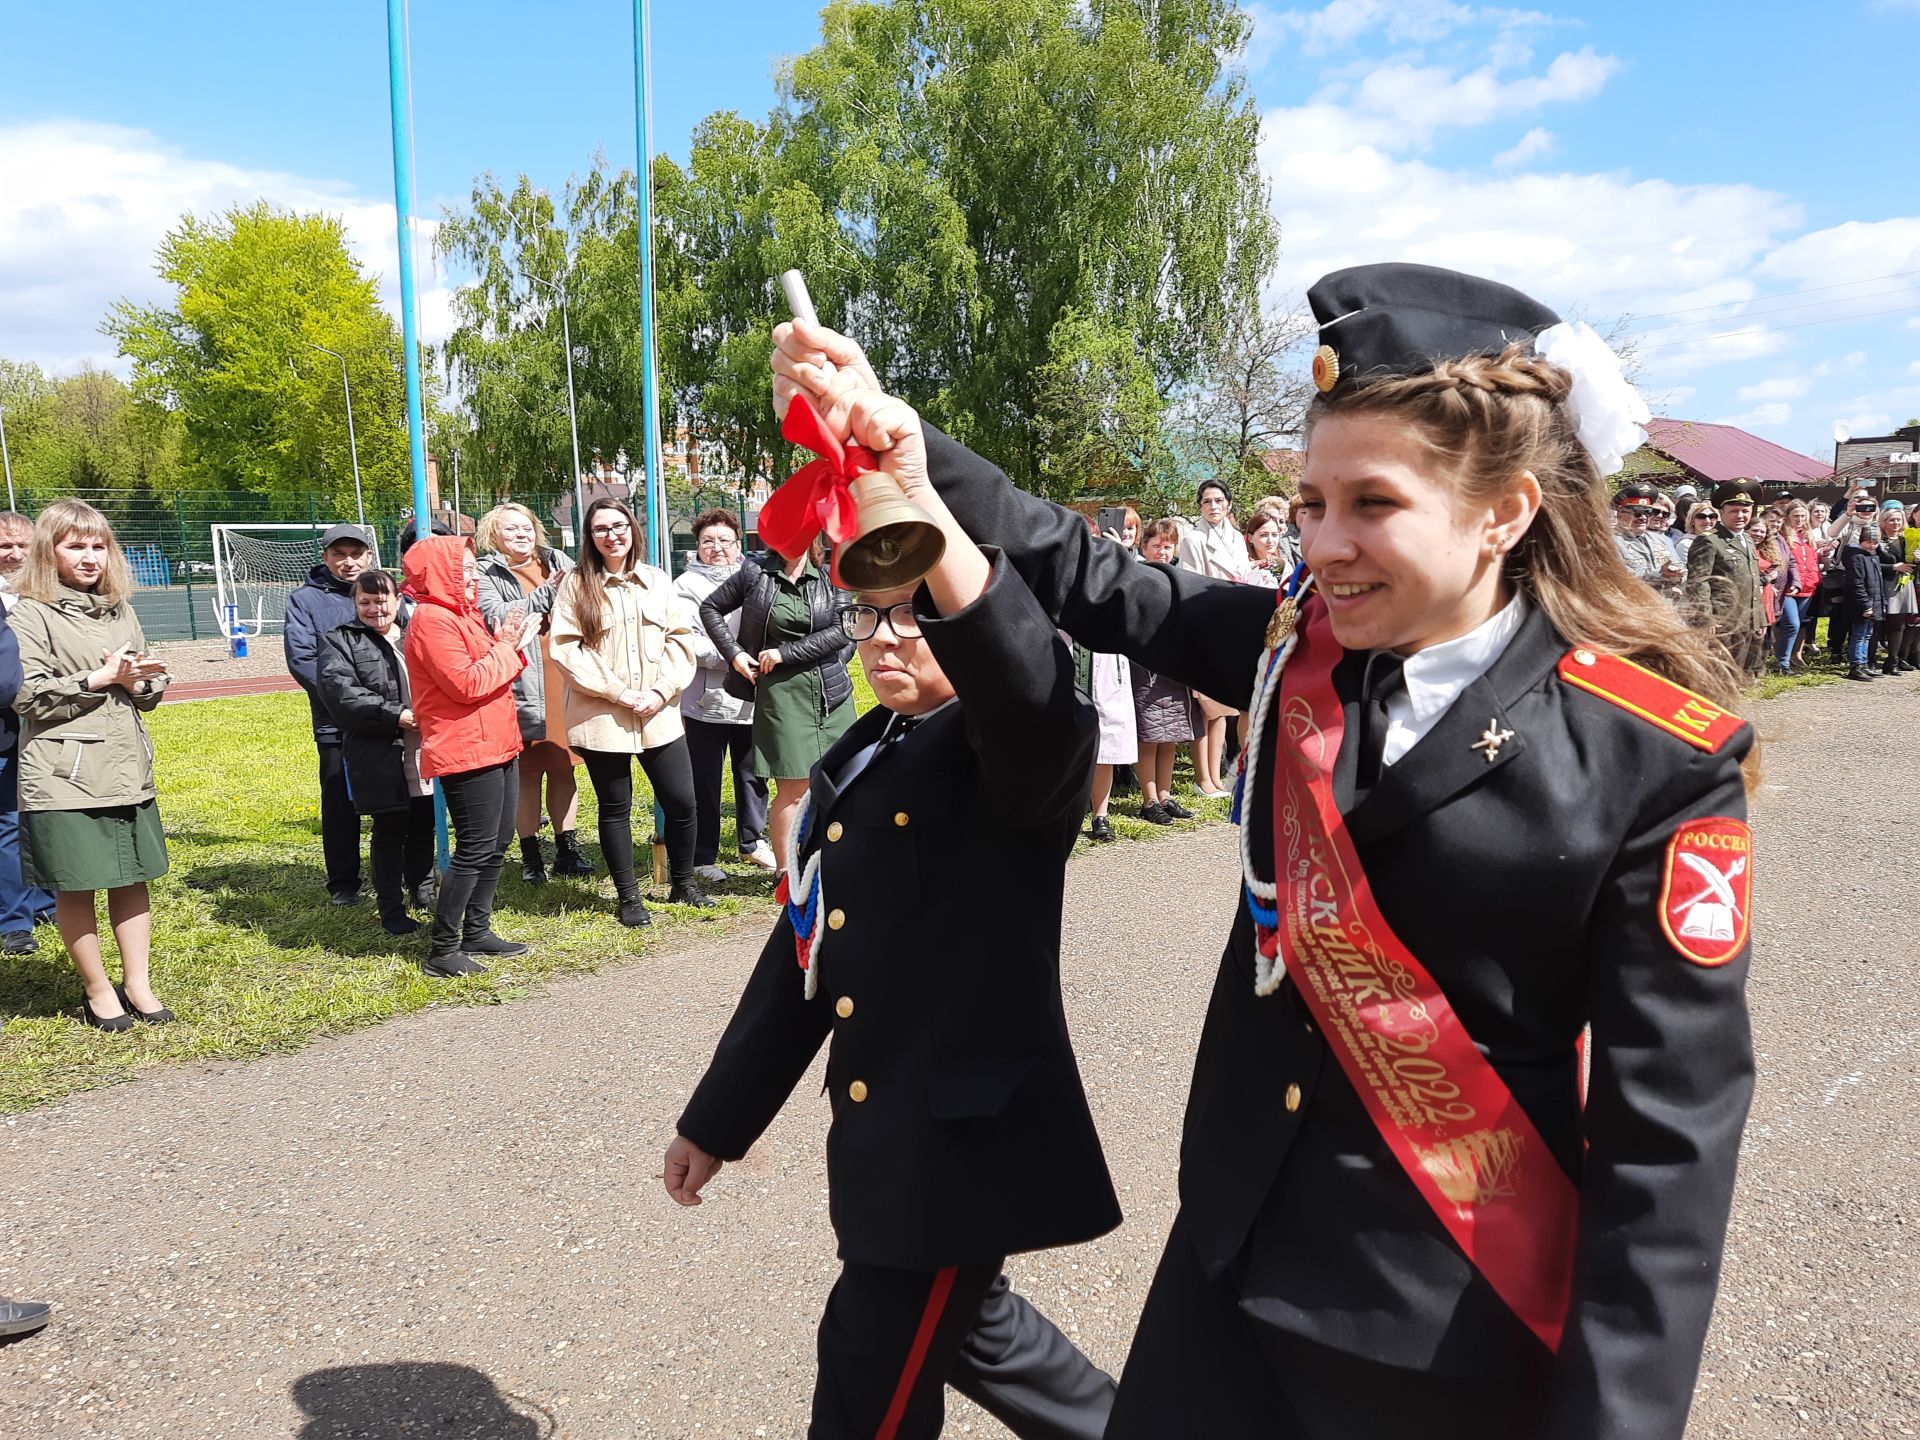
{"x": 452, "y": 1226}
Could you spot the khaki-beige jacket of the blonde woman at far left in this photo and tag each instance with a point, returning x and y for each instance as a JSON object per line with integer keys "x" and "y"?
{"x": 80, "y": 750}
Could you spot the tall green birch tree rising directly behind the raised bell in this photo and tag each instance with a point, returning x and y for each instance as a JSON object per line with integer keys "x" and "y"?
{"x": 1019, "y": 189}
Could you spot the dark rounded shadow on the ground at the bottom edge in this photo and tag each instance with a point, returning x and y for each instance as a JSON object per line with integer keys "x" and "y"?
{"x": 414, "y": 1399}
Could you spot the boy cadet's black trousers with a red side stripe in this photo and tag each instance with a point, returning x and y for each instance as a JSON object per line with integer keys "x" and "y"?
{"x": 892, "y": 1341}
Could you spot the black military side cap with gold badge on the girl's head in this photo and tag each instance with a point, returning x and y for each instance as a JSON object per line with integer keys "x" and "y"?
{"x": 1403, "y": 320}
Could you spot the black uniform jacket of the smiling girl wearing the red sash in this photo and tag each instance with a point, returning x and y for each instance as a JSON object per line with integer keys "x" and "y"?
{"x": 1531, "y": 890}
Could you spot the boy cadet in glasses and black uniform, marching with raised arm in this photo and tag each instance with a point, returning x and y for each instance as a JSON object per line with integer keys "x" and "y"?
{"x": 923, "y": 934}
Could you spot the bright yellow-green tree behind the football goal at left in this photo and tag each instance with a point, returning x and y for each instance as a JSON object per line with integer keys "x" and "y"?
{"x": 262, "y": 410}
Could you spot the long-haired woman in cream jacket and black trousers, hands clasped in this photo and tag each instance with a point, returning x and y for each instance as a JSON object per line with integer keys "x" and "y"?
{"x": 625, "y": 642}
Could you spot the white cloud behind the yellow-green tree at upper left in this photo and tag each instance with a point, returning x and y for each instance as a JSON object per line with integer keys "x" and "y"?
{"x": 89, "y": 204}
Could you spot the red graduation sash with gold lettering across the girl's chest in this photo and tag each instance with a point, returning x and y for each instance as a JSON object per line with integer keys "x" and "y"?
{"x": 1441, "y": 1107}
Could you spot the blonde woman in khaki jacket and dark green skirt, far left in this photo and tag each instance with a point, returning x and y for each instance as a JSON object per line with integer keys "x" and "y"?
{"x": 89, "y": 821}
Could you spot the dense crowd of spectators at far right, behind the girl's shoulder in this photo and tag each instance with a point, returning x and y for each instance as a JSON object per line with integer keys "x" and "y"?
{"x": 1765, "y": 575}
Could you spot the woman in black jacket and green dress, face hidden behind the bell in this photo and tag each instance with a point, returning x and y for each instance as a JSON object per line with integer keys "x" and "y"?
{"x": 790, "y": 660}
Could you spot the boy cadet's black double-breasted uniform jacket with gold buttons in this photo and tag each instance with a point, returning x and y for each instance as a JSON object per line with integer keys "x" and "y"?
{"x": 940, "y": 978}
